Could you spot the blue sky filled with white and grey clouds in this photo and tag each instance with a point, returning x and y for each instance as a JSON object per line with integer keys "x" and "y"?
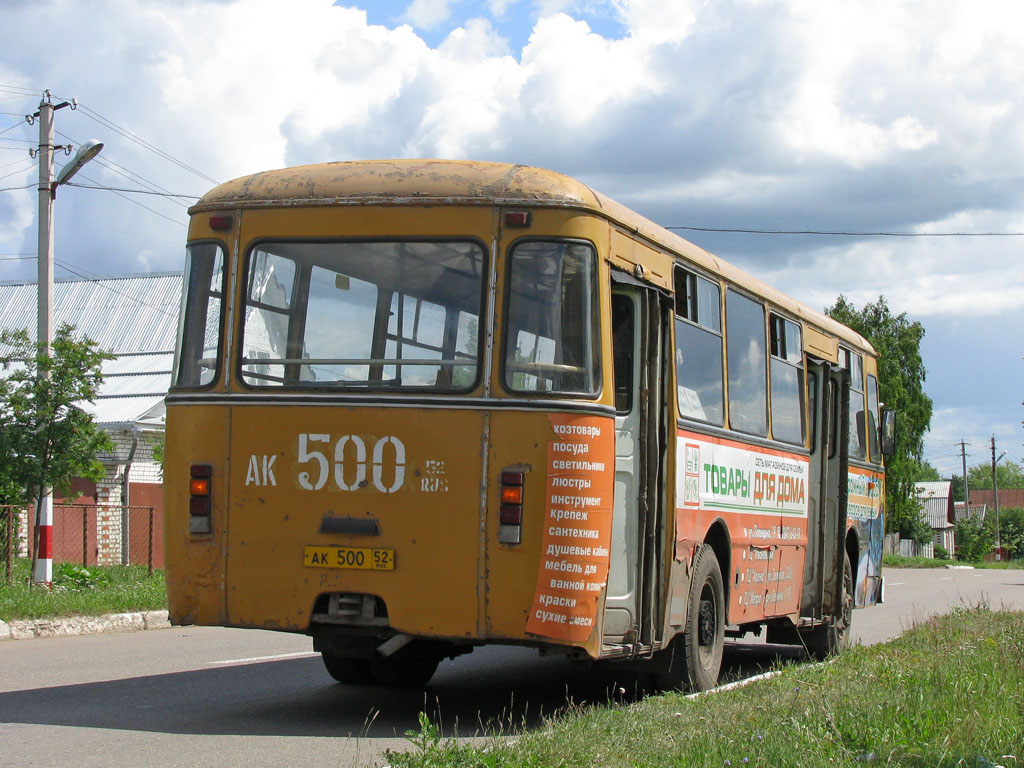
{"x": 876, "y": 117}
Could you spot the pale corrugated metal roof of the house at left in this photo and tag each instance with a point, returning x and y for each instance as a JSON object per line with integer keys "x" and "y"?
{"x": 136, "y": 318}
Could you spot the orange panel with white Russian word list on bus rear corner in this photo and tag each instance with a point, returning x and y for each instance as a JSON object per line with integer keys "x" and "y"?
{"x": 577, "y": 527}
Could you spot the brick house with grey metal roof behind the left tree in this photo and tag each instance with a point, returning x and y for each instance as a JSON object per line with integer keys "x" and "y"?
{"x": 135, "y": 318}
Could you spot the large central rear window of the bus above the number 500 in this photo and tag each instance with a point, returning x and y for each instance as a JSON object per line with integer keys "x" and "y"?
{"x": 380, "y": 316}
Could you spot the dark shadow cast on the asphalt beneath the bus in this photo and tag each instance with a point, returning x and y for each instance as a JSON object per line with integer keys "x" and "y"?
{"x": 490, "y": 691}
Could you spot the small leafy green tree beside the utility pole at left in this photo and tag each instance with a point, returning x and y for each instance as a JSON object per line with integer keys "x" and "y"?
{"x": 47, "y": 439}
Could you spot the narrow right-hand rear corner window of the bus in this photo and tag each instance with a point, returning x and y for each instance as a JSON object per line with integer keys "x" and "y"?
{"x": 551, "y": 337}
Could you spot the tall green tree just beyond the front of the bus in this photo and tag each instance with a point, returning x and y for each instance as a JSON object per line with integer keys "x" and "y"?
{"x": 902, "y": 379}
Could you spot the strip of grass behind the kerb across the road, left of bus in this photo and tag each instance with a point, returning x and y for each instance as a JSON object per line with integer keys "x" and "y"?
{"x": 81, "y": 591}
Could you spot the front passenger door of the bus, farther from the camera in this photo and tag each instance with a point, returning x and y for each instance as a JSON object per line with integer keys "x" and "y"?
{"x": 825, "y": 389}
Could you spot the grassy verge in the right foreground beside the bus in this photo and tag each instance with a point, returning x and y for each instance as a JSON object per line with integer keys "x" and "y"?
{"x": 948, "y": 694}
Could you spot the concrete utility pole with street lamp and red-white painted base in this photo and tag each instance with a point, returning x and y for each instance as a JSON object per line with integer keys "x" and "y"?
{"x": 44, "y": 567}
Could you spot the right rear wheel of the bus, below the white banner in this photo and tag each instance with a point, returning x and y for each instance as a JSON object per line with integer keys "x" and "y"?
{"x": 705, "y": 622}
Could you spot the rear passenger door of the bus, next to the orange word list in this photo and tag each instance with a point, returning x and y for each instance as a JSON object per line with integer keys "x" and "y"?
{"x": 637, "y": 519}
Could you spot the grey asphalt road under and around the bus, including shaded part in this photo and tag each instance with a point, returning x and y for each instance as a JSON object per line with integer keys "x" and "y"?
{"x": 204, "y": 697}
